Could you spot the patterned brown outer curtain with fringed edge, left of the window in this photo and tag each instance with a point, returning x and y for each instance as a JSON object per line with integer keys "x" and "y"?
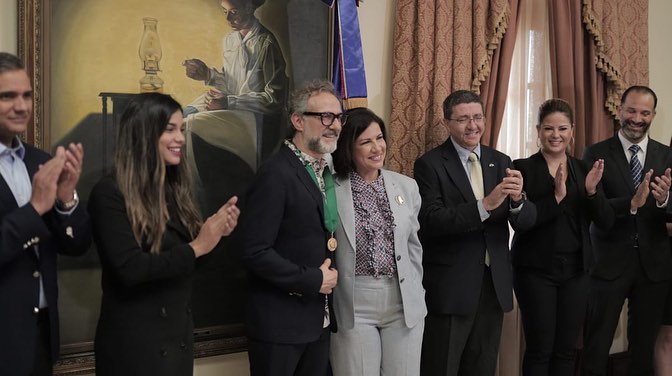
{"x": 440, "y": 46}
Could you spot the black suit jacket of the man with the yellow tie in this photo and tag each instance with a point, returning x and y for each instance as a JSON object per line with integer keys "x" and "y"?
{"x": 454, "y": 238}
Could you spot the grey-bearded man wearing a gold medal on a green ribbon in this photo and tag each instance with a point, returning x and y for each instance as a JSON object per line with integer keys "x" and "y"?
{"x": 288, "y": 229}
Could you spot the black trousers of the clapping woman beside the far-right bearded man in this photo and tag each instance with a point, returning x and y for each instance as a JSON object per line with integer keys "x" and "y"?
{"x": 553, "y": 306}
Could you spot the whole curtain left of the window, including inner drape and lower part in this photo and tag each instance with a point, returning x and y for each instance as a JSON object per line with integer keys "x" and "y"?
{"x": 441, "y": 46}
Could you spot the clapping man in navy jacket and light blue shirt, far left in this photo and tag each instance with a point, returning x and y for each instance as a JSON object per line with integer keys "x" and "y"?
{"x": 32, "y": 230}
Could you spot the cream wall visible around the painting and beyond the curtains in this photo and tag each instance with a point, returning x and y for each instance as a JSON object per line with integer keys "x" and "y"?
{"x": 377, "y": 22}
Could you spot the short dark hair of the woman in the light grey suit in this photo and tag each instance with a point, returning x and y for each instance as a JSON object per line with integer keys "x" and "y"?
{"x": 358, "y": 120}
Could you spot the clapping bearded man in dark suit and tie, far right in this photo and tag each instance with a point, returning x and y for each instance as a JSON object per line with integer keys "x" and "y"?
{"x": 632, "y": 256}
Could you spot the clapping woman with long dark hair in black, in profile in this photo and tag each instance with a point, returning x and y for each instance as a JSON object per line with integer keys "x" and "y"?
{"x": 149, "y": 234}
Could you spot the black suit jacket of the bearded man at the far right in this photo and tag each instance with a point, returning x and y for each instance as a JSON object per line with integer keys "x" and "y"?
{"x": 613, "y": 244}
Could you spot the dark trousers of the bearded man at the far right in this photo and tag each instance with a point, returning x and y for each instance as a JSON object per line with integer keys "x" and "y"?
{"x": 645, "y": 308}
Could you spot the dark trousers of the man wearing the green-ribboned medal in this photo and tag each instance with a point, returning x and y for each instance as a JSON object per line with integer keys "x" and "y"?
{"x": 279, "y": 359}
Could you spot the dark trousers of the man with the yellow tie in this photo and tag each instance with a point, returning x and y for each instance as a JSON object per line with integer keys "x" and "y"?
{"x": 464, "y": 345}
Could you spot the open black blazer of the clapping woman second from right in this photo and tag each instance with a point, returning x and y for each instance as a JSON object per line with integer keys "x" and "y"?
{"x": 534, "y": 247}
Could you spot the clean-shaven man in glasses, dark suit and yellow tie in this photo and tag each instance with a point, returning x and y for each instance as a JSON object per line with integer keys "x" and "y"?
{"x": 469, "y": 192}
